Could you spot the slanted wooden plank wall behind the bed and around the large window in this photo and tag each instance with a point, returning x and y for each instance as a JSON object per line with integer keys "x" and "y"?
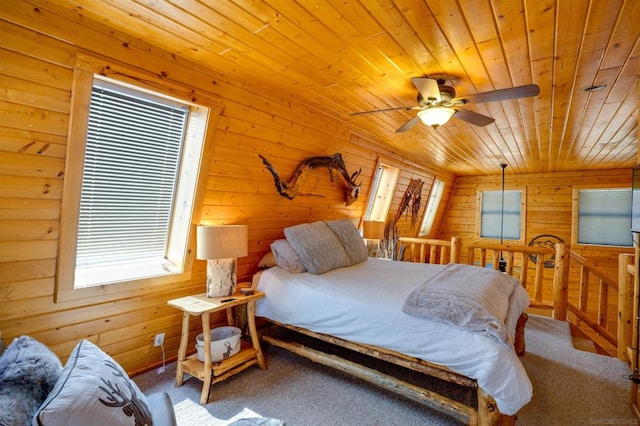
{"x": 37, "y": 51}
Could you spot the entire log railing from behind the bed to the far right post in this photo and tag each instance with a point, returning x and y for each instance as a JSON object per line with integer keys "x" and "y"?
{"x": 528, "y": 264}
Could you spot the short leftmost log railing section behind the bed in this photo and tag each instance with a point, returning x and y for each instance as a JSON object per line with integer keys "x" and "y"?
{"x": 437, "y": 250}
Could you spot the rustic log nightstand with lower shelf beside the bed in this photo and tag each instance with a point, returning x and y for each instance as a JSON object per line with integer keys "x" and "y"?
{"x": 213, "y": 372}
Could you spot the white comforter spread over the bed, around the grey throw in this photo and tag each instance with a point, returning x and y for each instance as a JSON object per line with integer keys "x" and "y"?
{"x": 363, "y": 303}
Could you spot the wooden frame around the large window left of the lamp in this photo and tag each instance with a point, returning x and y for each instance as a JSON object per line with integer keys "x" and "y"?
{"x": 85, "y": 69}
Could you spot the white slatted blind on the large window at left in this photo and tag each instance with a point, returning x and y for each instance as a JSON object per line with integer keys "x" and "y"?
{"x": 132, "y": 156}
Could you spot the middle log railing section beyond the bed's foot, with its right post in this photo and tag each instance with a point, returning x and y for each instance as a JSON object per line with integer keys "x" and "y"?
{"x": 518, "y": 259}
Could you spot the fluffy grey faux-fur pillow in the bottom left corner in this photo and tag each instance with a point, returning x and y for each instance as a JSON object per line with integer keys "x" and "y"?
{"x": 28, "y": 372}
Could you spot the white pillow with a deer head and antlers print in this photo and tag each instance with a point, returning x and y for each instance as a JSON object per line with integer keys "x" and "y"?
{"x": 93, "y": 389}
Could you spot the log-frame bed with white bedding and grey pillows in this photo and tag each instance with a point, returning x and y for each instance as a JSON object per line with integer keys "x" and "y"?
{"x": 359, "y": 306}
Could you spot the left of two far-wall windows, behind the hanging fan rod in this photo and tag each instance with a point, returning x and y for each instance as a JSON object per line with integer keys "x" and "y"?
{"x": 491, "y": 214}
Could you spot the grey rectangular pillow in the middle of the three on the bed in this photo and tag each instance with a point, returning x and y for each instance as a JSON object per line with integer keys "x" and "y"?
{"x": 318, "y": 247}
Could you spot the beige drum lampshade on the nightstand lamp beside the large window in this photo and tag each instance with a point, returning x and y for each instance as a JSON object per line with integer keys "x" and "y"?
{"x": 222, "y": 241}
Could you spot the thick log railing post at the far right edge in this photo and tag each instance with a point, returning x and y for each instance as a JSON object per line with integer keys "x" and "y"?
{"x": 625, "y": 305}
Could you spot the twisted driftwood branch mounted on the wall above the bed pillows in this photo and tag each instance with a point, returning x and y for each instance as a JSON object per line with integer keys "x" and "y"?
{"x": 334, "y": 163}
